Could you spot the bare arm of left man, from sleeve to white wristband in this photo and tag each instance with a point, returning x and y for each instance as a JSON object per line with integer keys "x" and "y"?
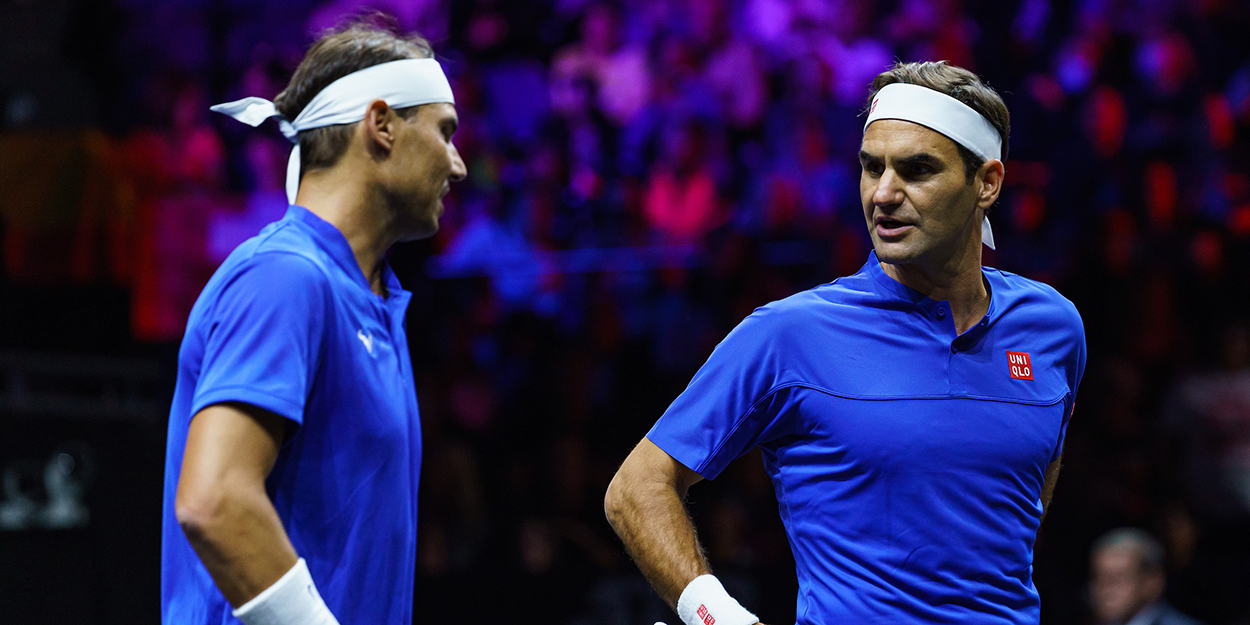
{"x": 222, "y": 502}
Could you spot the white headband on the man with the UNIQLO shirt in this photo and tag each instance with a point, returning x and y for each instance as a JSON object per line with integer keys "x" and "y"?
{"x": 944, "y": 114}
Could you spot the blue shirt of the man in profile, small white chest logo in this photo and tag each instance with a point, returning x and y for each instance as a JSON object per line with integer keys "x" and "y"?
{"x": 289, "y": 324}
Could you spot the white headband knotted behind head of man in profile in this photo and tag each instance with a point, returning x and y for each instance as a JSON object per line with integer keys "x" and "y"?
{"x": 399, "y": 84}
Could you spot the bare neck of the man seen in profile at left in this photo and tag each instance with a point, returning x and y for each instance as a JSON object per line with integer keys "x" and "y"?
{"x": 347, "y": 201}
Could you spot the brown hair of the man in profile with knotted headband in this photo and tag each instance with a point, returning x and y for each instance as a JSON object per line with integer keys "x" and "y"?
{"x": 338, "y": 53}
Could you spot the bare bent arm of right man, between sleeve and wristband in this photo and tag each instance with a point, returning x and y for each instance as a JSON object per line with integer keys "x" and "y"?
{"x": 644, "y": 504}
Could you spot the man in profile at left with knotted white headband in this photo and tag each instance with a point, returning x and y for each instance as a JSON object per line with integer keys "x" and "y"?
{"x": 294, "y": 439}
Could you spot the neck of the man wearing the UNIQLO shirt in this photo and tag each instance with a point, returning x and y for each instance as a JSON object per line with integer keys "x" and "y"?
{"x": 957, "y": 281}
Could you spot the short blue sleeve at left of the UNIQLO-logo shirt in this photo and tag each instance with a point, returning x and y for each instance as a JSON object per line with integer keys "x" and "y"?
{"x": 728, "y": 408}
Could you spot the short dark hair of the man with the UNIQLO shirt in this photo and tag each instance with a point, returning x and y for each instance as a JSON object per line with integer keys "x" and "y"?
{"x": 962, "y": 86}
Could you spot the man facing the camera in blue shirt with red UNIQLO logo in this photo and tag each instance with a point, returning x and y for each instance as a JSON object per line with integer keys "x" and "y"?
{"x": 912, "y": 416}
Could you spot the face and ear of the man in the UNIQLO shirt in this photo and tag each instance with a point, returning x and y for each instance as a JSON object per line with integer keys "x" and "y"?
{"x": 918, "y": 203}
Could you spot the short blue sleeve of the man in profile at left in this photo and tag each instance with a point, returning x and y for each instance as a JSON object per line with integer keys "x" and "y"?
{"x": 264, "y": 337}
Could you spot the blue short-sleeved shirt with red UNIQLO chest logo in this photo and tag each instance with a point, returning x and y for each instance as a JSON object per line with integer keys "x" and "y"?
{"x": 908, "y": 462}
